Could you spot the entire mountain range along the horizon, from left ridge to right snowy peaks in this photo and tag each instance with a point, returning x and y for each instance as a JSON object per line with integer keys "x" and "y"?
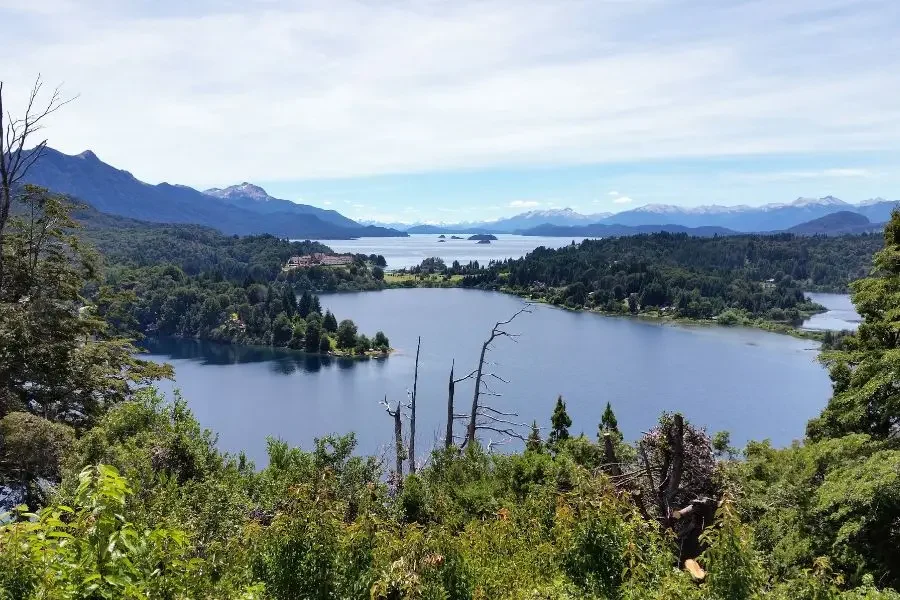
{"x": 247, "y": 209}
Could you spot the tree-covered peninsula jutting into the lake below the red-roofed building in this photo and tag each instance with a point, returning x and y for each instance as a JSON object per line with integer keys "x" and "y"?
{"x": 163, "y": 300}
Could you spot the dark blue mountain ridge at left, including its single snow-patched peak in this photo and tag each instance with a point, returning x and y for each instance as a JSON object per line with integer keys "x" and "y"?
{"x": 242, "y": 209}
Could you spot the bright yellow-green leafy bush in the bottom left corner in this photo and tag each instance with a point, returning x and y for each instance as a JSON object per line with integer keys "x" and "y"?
{"x": 93, "y": 551}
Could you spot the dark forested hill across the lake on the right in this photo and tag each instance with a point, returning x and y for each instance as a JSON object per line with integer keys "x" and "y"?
{"x": 690, "y": 276}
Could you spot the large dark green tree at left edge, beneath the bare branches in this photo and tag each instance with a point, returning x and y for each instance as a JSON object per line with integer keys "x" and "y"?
{"x": 58, "y": 358}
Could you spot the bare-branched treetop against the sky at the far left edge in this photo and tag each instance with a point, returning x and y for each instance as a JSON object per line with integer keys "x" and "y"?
{"x": 15, "y": 134}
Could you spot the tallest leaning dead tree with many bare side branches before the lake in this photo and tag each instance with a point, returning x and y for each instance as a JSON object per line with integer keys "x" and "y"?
{"x": 483, "y": 417}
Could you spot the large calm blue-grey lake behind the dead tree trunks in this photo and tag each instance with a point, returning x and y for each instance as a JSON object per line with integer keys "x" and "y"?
{"x": 752, "y": 383}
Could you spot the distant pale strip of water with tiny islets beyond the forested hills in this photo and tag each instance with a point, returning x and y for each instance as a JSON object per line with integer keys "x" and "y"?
{"x": 411, "y": 251}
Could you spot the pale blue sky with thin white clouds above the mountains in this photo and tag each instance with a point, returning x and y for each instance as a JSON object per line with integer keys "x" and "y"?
{"x": 432, "y": 110}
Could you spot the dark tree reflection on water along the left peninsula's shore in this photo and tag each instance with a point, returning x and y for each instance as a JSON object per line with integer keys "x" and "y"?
{"x": 282, "y": 361}
